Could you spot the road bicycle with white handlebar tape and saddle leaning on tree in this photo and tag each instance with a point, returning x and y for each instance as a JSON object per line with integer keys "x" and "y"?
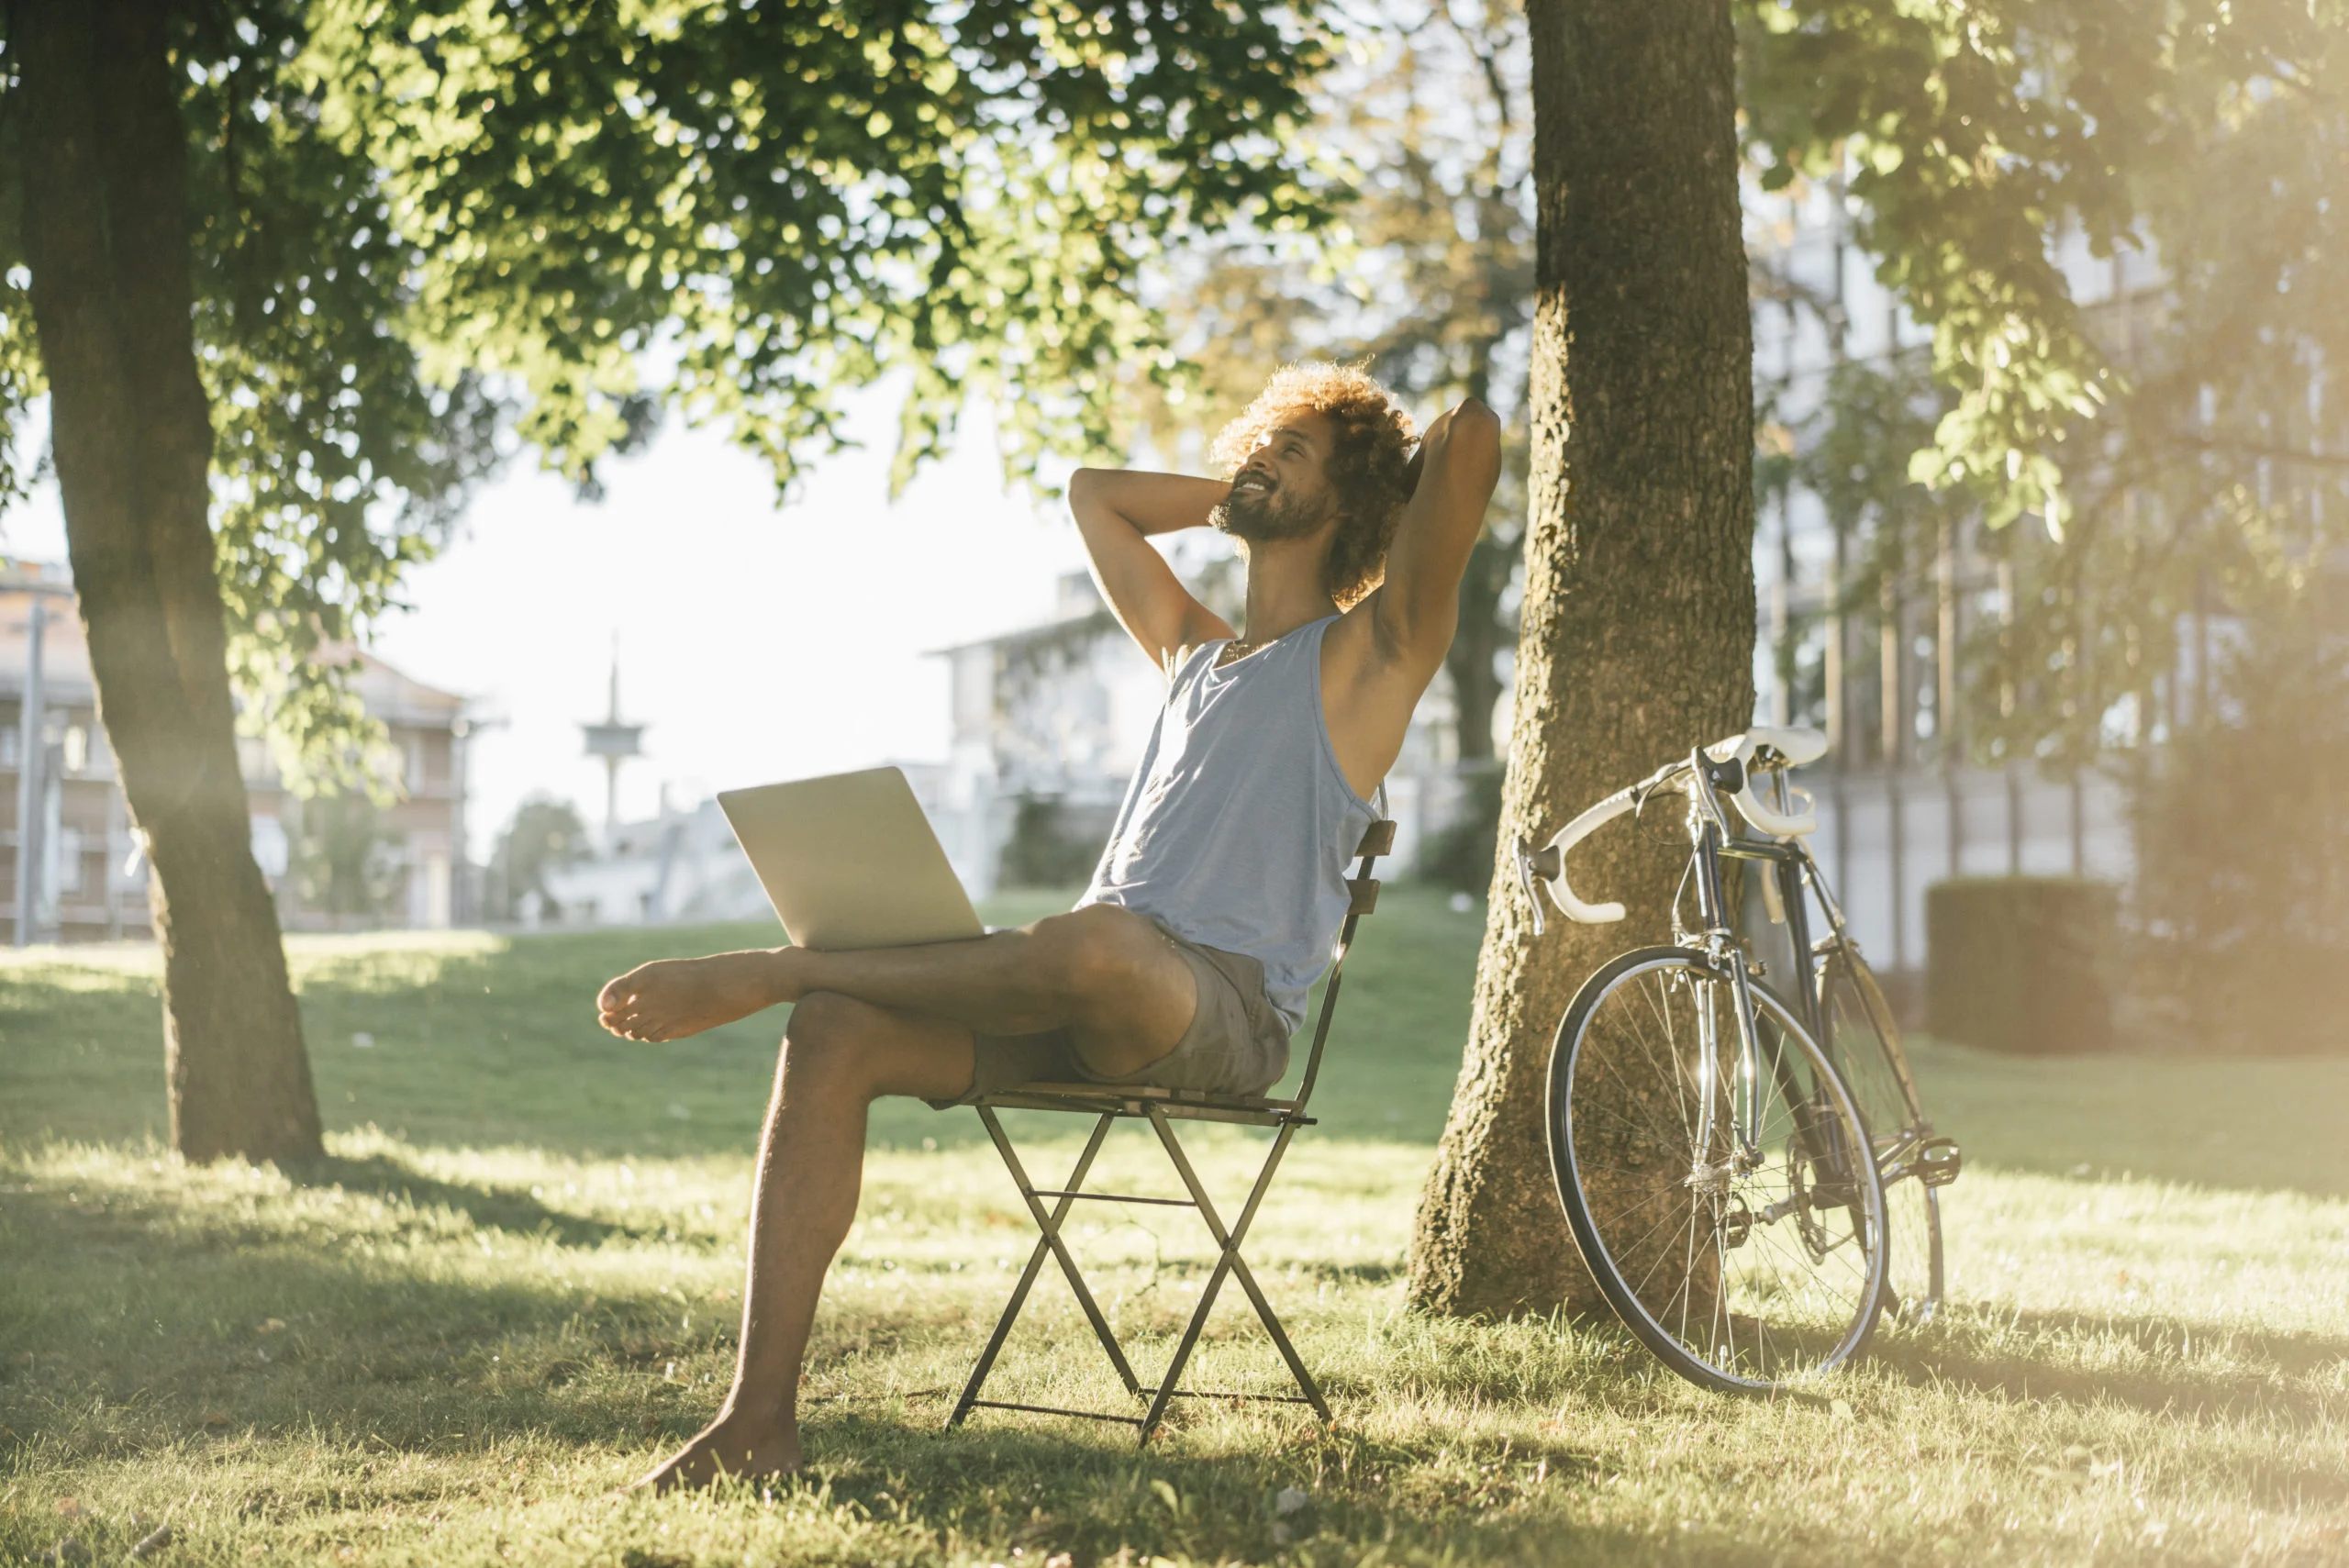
{"x": 1791, "y": 1241}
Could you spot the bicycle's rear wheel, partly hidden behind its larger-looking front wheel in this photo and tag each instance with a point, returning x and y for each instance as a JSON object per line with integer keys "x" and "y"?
{"x": 1866, "y": 1050}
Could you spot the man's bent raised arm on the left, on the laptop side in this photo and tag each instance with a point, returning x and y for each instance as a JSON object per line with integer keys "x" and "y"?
{"x": 1119, "y": 511}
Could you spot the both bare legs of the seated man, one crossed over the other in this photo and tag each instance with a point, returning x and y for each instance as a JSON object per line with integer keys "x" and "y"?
{"x": 870, "y": 1025}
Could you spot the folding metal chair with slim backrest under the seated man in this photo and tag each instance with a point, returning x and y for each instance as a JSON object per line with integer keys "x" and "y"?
{"x": 1162, "y": 1109}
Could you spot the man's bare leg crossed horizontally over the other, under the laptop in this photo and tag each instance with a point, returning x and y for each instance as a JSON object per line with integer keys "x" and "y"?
{"x": 1103, "y": 973}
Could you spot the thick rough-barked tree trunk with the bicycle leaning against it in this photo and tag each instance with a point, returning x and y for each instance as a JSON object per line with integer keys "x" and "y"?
{"x": 1638, "y": 623}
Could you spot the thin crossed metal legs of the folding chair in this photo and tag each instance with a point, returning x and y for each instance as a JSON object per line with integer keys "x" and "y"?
{"x": 1230, "y": 1264}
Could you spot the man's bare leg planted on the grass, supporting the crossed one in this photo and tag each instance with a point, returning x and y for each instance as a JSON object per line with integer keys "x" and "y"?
{"x": 837, "y": 1057}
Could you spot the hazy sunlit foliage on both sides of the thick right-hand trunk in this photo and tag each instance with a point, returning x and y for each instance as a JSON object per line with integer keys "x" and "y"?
{"x": 2176, "y": 442}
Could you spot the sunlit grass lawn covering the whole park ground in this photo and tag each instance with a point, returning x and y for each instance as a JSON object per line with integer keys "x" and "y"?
{"x": 516, "y": 1283}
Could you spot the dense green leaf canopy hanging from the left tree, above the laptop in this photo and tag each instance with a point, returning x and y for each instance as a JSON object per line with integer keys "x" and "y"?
{"x": 433, "y": 229}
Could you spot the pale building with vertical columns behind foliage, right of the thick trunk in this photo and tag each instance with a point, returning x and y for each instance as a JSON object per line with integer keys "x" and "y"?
{"x": 1873, "y": 647}
